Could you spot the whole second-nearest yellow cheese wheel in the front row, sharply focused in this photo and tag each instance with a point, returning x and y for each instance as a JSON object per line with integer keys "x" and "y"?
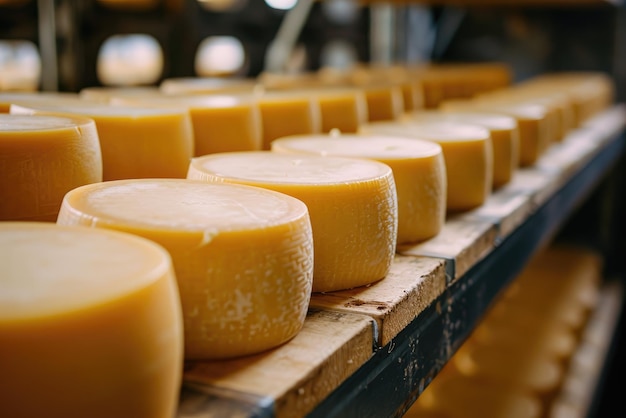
{"x": 243, "y": 256}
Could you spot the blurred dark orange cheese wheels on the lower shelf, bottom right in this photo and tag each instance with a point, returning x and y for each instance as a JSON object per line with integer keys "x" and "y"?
{"x": 515, "y": 361}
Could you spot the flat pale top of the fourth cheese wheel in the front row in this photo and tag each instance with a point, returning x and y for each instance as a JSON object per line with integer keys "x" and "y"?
{"x": 359, "y": 146}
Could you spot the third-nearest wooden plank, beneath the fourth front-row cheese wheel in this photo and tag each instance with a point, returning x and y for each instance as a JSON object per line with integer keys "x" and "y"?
{"x": 462, "y": 243}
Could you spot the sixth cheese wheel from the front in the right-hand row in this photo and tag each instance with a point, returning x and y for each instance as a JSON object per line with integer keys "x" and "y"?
{"x": 504, "y": 137}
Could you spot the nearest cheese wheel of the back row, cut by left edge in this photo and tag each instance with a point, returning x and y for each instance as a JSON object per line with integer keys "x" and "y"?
{"x": 41, "y": 158}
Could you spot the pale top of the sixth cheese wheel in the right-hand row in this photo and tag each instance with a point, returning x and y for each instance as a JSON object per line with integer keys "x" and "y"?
{"x": 491, "y": 121}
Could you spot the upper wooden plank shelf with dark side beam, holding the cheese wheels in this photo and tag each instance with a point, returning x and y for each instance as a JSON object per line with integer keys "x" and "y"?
{"x": 370, "y": 351}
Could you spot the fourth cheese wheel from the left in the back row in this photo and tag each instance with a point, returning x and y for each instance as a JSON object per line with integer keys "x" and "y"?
{"x": 286, "y": 113}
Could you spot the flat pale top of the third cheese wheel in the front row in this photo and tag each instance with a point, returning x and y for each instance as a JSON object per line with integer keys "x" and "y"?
{"x": 266, "y": 166}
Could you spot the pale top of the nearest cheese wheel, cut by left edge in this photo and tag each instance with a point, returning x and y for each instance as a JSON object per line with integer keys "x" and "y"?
{"x": 49, "y": 269}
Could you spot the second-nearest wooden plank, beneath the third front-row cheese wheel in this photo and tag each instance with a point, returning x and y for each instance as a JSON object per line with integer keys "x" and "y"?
{"x": 412, "y": 284}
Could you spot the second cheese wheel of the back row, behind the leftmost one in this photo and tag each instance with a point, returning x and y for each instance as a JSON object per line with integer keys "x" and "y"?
{"x": 135, "y": 142}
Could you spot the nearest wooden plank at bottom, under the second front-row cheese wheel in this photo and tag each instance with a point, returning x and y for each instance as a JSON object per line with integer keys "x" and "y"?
{"x": 291, "y": 379}
